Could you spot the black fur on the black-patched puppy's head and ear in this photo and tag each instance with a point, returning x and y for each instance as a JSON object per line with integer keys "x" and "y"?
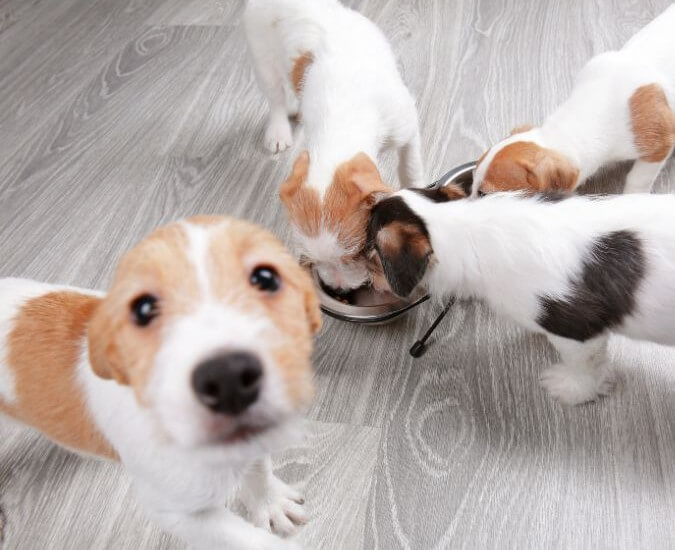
{"x": 405, "y": 267}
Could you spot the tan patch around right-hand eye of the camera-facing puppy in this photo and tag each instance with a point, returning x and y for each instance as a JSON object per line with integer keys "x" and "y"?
{"x": 235, "y": 249}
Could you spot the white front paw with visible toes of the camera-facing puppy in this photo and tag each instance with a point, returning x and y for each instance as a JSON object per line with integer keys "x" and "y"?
{"x": 271, "y": 503}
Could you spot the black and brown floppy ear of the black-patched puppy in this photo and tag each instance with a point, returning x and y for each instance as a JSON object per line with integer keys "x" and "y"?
{"x": 404, "y": 251}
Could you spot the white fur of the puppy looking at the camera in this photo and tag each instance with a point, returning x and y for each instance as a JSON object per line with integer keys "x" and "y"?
{"x": 169, "y": 446}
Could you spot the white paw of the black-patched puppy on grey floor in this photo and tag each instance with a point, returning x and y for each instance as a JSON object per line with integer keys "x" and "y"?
{"x": 573, "y": 386}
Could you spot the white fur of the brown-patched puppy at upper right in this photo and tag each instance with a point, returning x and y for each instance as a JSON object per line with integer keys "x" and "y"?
{"x": 593, "y": 126}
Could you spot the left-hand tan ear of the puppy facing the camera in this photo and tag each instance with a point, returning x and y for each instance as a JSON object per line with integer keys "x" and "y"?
{"x": 103, "y": 352}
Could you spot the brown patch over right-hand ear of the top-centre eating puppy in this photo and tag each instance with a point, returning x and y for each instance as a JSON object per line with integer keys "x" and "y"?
{"x": 349, "y": 199}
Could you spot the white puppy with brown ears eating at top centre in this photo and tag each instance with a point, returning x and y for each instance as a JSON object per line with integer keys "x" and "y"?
{"x": 334, "y": 69}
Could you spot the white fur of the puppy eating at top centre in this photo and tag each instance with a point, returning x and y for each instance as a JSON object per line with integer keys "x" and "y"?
{"x": 353, "y": 98}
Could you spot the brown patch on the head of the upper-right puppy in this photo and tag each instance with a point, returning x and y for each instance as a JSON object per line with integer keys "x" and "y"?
{"x": 526, "y": 165}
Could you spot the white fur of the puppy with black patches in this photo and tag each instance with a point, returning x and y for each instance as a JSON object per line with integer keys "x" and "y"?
{"x": 510, "y": 250}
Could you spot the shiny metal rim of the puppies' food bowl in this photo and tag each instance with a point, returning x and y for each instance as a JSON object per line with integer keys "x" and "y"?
{"x": 383, "y": 312}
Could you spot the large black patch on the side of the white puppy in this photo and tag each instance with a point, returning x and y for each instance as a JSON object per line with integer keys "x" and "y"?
{"x": 605, "y": 292}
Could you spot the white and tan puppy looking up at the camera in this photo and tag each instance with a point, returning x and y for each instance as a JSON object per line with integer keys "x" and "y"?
{"x": 188, "y": 371}
